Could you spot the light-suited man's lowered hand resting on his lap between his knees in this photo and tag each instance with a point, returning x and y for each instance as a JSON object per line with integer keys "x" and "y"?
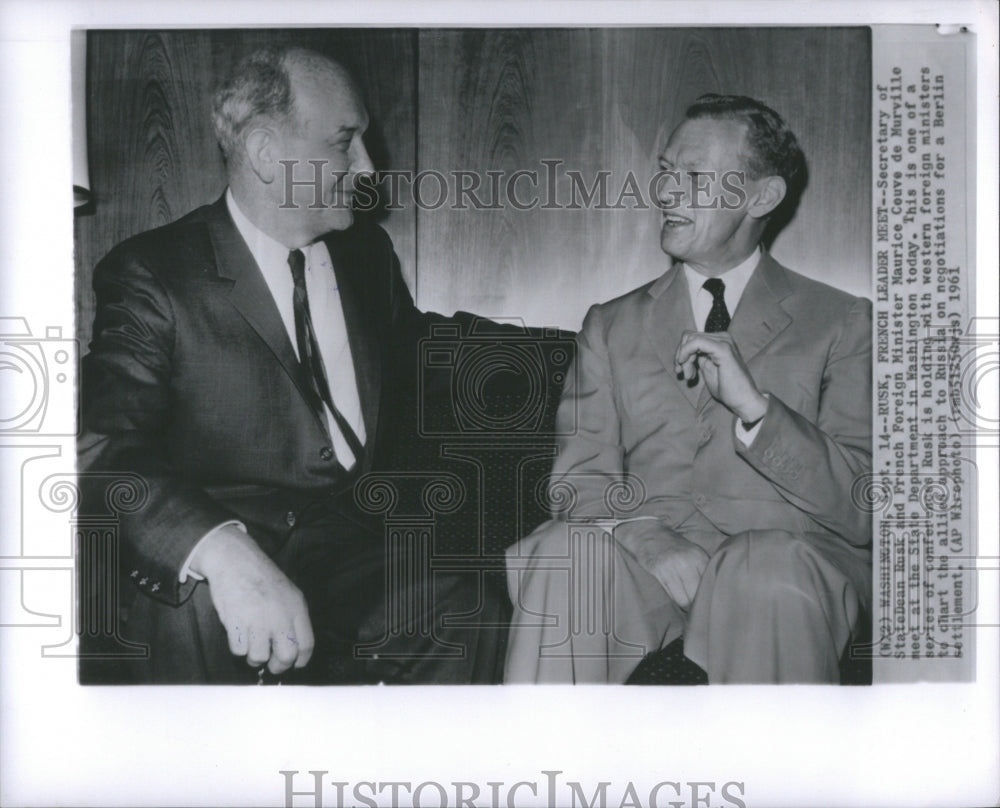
{"x": 666, "y": 555}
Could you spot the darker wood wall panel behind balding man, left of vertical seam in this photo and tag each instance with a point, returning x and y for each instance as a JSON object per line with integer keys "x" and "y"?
{"x": 153, "y": 155}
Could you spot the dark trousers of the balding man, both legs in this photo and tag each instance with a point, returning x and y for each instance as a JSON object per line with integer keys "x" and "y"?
{"x": 376, "y": 617}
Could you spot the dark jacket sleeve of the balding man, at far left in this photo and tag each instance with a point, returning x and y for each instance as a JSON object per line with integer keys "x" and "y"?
{"x": 125, "y": 407}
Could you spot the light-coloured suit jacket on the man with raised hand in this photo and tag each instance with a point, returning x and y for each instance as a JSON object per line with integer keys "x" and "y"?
{"x": 624, "y": 410}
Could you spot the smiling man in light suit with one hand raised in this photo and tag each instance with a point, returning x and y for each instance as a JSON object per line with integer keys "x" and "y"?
{"x": 736, "y": 394}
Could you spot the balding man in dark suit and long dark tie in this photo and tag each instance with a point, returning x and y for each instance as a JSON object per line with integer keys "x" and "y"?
{"x": 246, "y": 369}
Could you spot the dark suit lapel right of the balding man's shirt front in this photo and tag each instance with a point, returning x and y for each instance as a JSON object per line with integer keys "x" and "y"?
{"x": 362, "y": 332}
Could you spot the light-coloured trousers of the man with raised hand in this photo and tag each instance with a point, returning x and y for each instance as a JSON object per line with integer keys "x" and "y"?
{"x": 772, "y": 607}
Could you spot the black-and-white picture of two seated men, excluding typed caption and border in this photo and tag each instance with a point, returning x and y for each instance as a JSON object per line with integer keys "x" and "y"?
{"x": 265, "y": 431}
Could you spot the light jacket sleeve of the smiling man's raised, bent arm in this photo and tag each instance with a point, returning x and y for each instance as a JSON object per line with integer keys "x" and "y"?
{"x": 815, "y": 465}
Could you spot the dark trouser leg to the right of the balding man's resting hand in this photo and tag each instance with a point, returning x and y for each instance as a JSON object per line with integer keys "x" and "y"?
{"x": 383, "y": 613}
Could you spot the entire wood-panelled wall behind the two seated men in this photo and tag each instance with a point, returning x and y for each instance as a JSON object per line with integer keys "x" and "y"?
{"x": 500, "y": 100}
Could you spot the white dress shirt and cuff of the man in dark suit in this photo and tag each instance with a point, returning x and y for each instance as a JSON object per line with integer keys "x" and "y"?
{"x": 327, "y": 315}
